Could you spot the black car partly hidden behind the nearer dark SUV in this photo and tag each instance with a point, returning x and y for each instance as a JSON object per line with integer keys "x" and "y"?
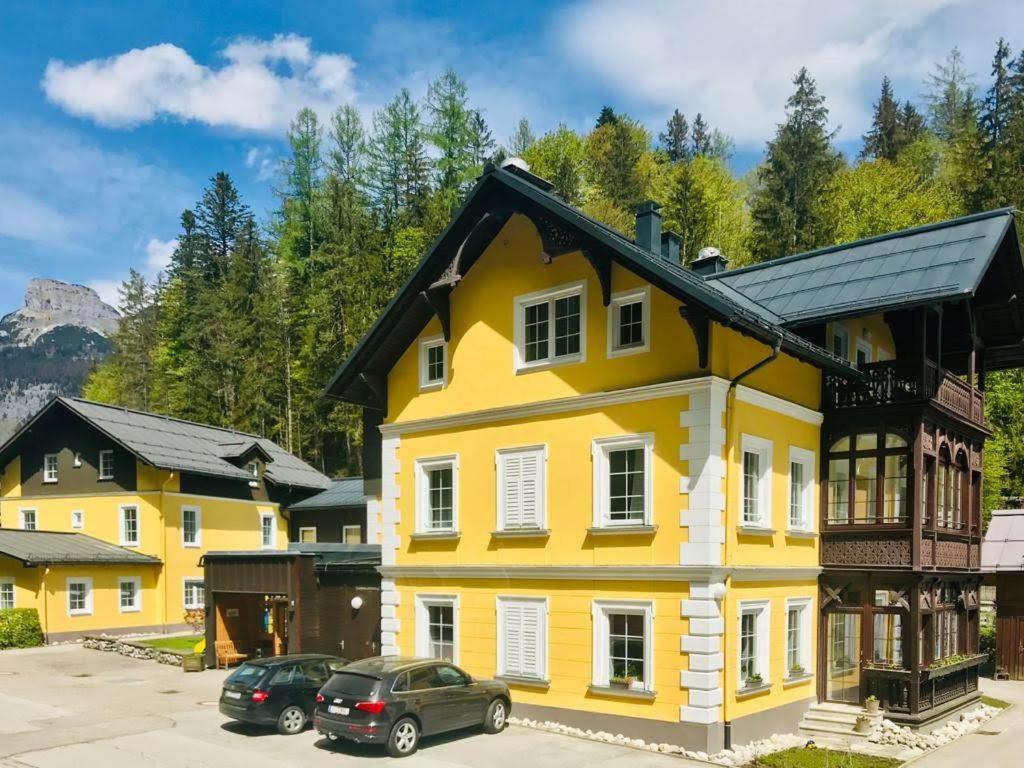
{"x": 278, "y": 691}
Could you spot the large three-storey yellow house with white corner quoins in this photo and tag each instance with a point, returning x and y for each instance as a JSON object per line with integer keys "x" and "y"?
{"x": 598, "y": 477}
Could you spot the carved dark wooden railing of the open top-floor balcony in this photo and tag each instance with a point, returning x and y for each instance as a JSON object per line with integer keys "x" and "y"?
{"x": 892, "y": 382}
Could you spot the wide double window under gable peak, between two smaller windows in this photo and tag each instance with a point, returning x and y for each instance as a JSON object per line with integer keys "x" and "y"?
{"x": 550, "y": 327}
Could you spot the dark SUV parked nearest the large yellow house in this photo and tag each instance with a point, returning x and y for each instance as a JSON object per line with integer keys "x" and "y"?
{"x": 395, "y": 701}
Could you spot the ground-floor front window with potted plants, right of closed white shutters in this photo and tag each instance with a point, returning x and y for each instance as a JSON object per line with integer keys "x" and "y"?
{"x": 623, "y": 644}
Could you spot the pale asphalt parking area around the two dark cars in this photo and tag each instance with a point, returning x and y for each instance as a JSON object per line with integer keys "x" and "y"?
{"x": 66, "y": 707}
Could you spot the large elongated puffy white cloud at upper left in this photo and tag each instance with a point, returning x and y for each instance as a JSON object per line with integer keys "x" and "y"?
{"x": 260, "y": 88}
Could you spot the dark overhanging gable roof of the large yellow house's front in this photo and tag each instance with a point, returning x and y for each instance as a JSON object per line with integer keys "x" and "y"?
{"x": 514, "y": 191}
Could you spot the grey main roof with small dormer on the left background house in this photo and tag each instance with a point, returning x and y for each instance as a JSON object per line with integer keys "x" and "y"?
{"x": 182, "y": 446}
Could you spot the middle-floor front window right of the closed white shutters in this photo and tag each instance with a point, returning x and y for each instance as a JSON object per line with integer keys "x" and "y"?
{"x": 623, "y": 481}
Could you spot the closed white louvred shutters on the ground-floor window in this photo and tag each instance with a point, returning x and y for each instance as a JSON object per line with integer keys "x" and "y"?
{"x": 523, "y": 637}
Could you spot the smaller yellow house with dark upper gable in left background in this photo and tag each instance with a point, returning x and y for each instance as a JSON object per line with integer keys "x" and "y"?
{"x": 164, "y": 489}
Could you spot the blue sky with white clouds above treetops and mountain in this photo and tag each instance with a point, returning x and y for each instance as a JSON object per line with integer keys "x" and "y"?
{"x": 113, "y": 116}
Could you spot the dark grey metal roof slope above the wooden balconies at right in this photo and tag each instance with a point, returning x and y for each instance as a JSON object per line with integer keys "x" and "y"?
{"x": 944, "y": 261}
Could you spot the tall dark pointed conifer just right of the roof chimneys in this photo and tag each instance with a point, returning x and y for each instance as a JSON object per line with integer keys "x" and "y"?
{"x": 800, "y": 163}
